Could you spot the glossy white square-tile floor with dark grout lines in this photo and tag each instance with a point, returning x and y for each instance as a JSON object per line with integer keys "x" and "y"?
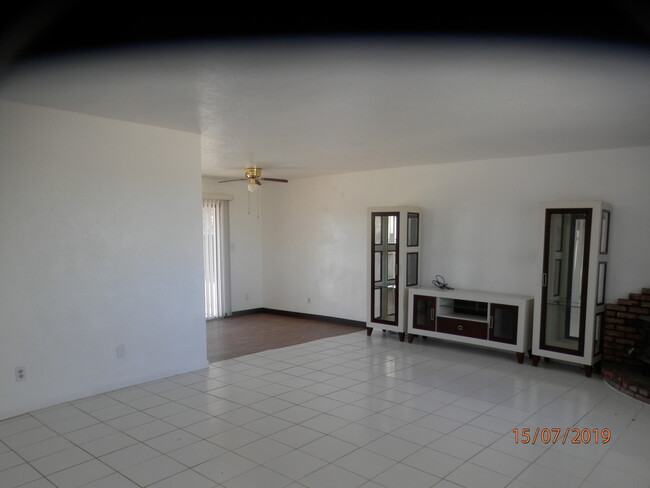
{"x": 344, "y": 412}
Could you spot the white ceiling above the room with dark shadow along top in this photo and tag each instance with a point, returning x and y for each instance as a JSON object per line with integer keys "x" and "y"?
{"x": 307, "y": 107}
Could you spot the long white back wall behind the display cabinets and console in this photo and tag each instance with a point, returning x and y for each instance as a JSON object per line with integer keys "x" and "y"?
{"x": 480, "y": 225}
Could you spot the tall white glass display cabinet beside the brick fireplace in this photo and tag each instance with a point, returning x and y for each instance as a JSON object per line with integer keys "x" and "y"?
{"x": 570, "y": 301}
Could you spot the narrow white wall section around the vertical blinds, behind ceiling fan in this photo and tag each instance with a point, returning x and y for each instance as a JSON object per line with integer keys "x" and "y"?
{"x": 245, "y": 242}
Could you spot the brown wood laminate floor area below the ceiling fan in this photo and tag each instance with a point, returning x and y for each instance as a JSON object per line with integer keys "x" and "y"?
{"x": 247, "y": 334}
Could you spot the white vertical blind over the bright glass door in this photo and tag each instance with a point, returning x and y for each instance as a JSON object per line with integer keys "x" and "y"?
{"x": 216, "y": 258}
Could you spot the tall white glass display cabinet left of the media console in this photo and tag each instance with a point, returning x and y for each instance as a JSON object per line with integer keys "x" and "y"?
{"x": 393, "y": 265}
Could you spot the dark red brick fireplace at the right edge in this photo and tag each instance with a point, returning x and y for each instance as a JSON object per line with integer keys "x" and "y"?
{"x": 625, "y": 334}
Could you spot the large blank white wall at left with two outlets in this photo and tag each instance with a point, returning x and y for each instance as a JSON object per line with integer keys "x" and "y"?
{"x": 100, "y": 245}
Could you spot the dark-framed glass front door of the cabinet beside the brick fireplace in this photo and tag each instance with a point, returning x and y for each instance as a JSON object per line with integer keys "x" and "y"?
{"x": 567, "y": 237}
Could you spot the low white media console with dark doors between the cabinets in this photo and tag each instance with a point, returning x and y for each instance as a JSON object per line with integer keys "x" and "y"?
{"x": 496, "y": 320}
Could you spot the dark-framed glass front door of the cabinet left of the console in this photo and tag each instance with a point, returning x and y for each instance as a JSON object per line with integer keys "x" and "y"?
{"x": 385, "y": 267}
